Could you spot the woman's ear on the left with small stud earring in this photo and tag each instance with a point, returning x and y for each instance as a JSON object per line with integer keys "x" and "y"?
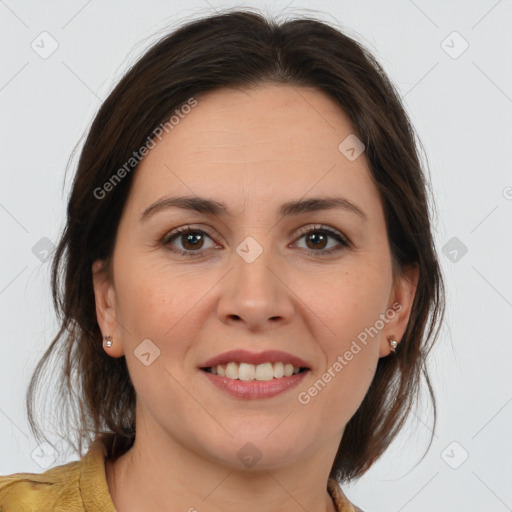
{"x": 106, "y": 313}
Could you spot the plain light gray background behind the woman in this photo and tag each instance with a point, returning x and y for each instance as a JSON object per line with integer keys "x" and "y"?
{"x": 462, "y": 110}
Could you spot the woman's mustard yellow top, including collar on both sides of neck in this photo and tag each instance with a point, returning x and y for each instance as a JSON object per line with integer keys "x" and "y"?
{"x": 81, "y": 485}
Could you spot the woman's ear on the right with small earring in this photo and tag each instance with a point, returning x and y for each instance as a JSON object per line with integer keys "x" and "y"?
{"x": 401, "y": 300}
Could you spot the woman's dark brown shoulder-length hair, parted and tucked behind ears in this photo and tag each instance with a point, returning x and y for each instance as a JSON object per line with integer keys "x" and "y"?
{"x": 240, "y": 49}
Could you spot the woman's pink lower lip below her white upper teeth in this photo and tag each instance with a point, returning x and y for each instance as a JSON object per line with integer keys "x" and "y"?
{"x": 255, "y": 388}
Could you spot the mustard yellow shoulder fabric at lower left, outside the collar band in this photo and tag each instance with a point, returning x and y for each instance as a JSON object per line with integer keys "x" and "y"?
{"x": 33, "y": 492}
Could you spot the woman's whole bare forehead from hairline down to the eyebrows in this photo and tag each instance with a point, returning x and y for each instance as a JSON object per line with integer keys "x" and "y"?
{"x": 261, "y": 142}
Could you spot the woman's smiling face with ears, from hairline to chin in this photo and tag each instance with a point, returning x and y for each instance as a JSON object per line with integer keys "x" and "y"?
{"x": 255, "y": 276}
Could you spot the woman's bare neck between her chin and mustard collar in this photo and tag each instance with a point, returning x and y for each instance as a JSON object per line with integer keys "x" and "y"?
{"x": 168, "y": 477}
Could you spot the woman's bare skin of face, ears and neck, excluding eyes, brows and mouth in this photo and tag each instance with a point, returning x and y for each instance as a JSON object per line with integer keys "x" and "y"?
{"x": 252, "y": 150}
